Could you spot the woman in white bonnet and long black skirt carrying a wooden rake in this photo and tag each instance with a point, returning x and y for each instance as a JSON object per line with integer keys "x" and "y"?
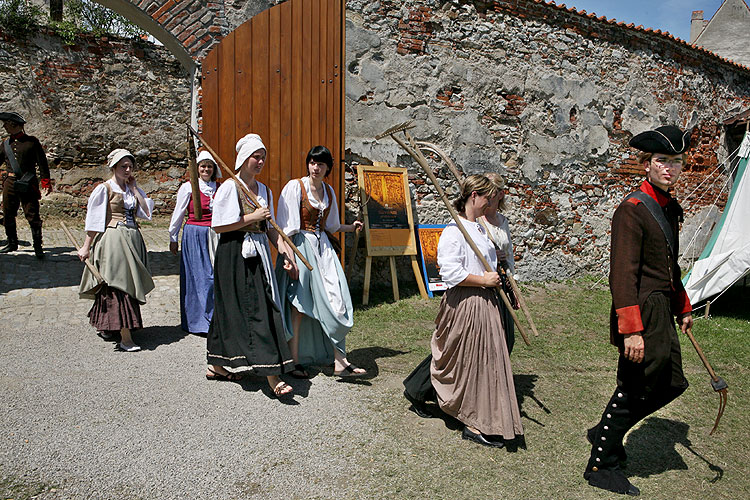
{"x": 247, "y": 328}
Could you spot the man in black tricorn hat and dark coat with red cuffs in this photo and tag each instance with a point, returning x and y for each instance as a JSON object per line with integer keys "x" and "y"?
{"x": 647, "y": 296}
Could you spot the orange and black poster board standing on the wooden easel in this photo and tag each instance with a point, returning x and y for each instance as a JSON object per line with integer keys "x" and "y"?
{"x": 386, "y": 206}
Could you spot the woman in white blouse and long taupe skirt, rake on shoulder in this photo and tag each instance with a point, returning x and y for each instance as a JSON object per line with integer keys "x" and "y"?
{"x": 470, "y": 367}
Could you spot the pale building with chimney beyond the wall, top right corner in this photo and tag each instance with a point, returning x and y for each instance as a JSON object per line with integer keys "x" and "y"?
{"x": 727, "y": 33}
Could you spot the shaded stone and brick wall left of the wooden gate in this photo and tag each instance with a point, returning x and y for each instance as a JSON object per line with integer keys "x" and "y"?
{"x": 102, "y": 93}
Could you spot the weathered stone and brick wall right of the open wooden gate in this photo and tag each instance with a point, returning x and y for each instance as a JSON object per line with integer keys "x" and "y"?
{"x": 542, "y": 94}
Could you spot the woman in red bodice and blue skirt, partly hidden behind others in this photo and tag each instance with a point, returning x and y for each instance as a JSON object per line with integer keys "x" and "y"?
{"x": 198, "y": 246}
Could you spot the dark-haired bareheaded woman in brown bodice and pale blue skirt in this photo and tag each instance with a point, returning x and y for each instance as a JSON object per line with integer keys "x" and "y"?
{"x": 318, "y": 305}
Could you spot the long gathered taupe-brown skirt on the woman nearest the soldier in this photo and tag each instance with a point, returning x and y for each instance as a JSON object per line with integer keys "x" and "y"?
{"x": 470, "y": 367}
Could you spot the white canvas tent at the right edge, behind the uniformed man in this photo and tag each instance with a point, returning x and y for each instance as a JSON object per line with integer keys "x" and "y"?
{"x": 726, "y": 258}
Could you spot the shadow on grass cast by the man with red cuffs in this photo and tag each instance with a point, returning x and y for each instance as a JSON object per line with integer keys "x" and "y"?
{"x": 653, "y": 445}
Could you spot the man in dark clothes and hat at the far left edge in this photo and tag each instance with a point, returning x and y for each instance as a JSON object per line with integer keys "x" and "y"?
{"x": 22, "y": 154}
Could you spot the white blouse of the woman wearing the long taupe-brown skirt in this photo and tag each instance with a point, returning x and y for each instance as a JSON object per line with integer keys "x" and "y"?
{"x": 456, "y": 259}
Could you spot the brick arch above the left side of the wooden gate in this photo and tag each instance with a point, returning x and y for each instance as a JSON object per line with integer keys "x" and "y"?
{"x": 187, "y": 28}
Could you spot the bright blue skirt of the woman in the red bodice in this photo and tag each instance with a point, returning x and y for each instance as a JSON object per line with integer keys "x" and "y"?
{"x": 196, "y": 280}
